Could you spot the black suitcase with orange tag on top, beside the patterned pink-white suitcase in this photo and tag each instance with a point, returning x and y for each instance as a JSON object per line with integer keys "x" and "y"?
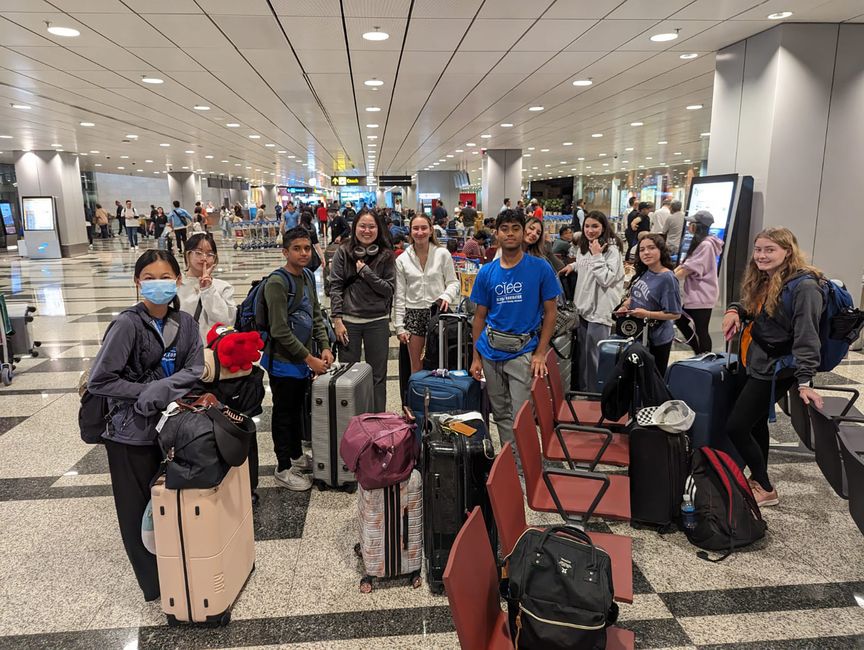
{"x": 455, "y": 469}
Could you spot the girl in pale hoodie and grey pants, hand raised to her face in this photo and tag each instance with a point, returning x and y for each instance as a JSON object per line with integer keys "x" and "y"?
{"x": 599, "y": 288}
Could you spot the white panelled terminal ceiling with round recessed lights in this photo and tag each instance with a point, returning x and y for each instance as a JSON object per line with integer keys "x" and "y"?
{"x": 287, "y": 90}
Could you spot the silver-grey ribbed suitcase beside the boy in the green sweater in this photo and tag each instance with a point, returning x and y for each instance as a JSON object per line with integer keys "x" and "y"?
{"x": 337, "y": 396}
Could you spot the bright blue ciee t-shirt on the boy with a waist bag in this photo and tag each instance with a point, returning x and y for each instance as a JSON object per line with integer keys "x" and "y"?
{"x": 514, "y": 298}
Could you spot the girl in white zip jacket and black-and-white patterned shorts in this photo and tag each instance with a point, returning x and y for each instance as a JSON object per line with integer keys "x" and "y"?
{"x": 425, "y": 275}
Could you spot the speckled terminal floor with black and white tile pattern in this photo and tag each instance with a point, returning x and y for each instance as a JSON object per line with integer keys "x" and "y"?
{"x": 65, "y": 581}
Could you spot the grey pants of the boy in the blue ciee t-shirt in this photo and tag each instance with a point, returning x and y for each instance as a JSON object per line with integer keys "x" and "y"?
{"x": 508, "y": 384}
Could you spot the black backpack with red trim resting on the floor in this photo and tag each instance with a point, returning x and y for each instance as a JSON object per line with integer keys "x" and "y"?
{"x": 727, "y": 515}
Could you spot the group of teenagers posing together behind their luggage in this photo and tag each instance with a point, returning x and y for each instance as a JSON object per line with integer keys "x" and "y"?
{"x": 153, "y": 352}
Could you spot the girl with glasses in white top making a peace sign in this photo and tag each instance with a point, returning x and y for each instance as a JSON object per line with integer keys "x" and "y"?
{"x": 209, "y": 300}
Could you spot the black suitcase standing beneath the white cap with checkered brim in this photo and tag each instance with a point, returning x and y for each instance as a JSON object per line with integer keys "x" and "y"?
{"x": 659, "y": 465}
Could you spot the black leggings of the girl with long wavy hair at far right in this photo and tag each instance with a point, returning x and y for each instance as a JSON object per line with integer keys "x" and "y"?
{"x": 747, "y": 426}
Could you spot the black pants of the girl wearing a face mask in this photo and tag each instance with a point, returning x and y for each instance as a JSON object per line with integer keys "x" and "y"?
{"x": 132, "y": 468}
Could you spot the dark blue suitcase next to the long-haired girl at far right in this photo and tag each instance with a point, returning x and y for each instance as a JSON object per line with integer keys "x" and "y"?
{"x": 709, "y": 384}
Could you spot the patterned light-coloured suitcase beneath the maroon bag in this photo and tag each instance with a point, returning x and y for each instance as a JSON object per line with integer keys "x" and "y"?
{"x": 391, "y": 531}
